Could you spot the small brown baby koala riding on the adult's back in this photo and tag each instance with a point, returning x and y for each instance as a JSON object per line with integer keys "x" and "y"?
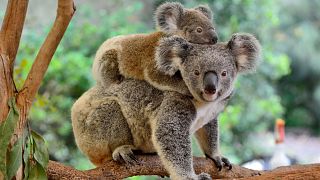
{"x": 132, "y": 56}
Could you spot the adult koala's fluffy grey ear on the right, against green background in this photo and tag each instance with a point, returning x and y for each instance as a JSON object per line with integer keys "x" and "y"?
{"x": 247, "y": 51}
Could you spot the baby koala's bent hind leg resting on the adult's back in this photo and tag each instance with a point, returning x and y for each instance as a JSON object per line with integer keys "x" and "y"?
{"x": 106, "y": 71}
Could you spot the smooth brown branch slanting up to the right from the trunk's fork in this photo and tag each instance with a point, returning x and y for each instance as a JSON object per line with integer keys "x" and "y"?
{"x": 65, "y": 12}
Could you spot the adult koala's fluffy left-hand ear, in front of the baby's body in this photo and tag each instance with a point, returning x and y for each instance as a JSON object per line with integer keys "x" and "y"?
{"x": 170, "y": 53}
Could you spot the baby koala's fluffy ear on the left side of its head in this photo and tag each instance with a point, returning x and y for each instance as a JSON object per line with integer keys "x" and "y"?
{"x": 168, "y": 15}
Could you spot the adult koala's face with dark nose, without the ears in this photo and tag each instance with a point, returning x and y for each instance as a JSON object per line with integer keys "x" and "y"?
{"x": 209, "y": 72}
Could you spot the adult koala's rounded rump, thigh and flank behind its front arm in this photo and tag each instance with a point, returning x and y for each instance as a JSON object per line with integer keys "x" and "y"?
{"x": 104, "y": 119}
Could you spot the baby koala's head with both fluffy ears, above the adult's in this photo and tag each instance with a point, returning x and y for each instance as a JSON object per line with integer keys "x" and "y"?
{"x": 194, "y": 25}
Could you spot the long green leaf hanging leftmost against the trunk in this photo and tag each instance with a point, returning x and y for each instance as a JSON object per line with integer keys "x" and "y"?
{"x": 6, "y": 132}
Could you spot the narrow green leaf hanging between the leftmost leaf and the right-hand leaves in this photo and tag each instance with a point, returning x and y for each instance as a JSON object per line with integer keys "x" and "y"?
{"x": 14, "y": 159}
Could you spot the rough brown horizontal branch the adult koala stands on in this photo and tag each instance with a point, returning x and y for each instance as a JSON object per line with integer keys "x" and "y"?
{"x": 150, "y": 165}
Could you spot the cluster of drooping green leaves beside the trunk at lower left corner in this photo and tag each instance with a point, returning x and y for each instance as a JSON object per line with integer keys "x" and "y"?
{"x": 36, "y": 156}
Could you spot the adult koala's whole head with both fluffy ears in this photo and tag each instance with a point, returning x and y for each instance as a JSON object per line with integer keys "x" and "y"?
{"x": 208, "y": 70}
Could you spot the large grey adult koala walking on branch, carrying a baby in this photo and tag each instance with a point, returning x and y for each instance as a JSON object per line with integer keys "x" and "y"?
{"x": 133, "y": 115}
